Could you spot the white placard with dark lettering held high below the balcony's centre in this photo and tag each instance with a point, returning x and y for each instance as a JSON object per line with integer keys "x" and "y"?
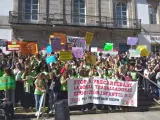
{"x": 76, "y": 41}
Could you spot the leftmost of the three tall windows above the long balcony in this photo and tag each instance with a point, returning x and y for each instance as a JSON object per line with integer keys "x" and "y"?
{"x": 31, "y": 10}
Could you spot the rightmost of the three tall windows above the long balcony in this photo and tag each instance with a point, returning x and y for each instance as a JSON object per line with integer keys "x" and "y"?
{"x": 121, "y": 13}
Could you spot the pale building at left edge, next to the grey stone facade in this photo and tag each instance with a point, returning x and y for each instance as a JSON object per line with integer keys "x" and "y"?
{"x": 5, "y": 29}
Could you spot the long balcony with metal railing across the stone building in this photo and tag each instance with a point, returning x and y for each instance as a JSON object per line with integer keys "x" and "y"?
{"x": 73, "y": 20}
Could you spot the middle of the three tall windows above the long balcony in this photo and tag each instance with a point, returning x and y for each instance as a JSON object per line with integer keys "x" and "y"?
{"x": 79, "y": 11}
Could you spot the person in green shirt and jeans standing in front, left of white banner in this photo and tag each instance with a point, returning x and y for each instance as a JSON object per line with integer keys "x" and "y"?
{"x": 40, "y": 88}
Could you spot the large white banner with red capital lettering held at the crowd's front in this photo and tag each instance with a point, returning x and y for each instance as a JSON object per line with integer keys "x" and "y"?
{"x": 101, "y": 91}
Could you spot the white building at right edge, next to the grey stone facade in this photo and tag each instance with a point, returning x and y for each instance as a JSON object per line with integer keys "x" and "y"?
{"x": 149, "y": 13}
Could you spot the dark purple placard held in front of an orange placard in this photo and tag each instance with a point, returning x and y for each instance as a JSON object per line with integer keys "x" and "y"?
{"x": 56, "y": 44}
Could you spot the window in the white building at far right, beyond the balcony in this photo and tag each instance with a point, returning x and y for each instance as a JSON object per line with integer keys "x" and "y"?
{"x": 152, "y": 14}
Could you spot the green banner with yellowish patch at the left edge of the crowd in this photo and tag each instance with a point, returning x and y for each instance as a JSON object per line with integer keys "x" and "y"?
{"x": 7, "y": 82}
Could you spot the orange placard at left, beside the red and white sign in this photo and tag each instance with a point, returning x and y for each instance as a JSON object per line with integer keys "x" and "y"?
{"x": 28, "y": 48}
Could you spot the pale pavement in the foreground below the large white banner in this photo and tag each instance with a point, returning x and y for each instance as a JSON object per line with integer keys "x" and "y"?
{"x": 118, "y": 116}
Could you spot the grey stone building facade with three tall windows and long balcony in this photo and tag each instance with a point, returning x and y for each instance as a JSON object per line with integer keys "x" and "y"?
{"x": 109, "y": 20}
